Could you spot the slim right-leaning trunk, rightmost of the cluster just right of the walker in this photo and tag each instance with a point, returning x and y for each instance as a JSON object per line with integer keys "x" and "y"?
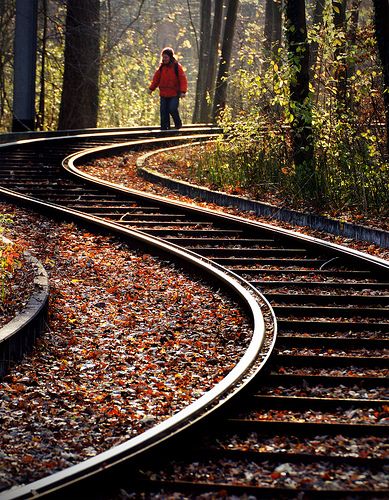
{"x": 225, "y": 59}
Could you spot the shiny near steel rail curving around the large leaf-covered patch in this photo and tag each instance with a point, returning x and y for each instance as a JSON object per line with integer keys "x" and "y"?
{"x": 247, "y": 367}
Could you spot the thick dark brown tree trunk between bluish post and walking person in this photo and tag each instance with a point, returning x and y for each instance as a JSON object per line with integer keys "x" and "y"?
{"x": 79, "y": 100}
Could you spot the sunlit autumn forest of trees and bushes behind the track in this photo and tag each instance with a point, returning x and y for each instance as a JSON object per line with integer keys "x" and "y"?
{"x": 300, "y": 87}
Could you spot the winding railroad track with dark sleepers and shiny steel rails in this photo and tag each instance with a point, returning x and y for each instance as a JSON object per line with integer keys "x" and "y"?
{"x": 311, "y": 424}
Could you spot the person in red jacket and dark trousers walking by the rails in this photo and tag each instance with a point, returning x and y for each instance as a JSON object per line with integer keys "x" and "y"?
{"x": 173, "y": 84}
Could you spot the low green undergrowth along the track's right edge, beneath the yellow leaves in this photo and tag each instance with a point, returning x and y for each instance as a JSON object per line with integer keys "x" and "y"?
{"x": 347, "y": 177}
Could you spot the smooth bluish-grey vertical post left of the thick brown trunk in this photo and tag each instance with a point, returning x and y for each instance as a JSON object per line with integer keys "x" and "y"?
{"x": 25, "y": 44}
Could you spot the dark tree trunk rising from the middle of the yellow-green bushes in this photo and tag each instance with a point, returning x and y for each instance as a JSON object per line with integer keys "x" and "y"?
{"x": 300, "y": 108}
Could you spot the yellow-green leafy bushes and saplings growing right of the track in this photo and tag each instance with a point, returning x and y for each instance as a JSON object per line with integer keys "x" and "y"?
{"x": 350, "y": 169}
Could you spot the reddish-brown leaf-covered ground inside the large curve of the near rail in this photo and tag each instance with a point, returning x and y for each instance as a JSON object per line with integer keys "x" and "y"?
{"x": 130, "y": 341}
